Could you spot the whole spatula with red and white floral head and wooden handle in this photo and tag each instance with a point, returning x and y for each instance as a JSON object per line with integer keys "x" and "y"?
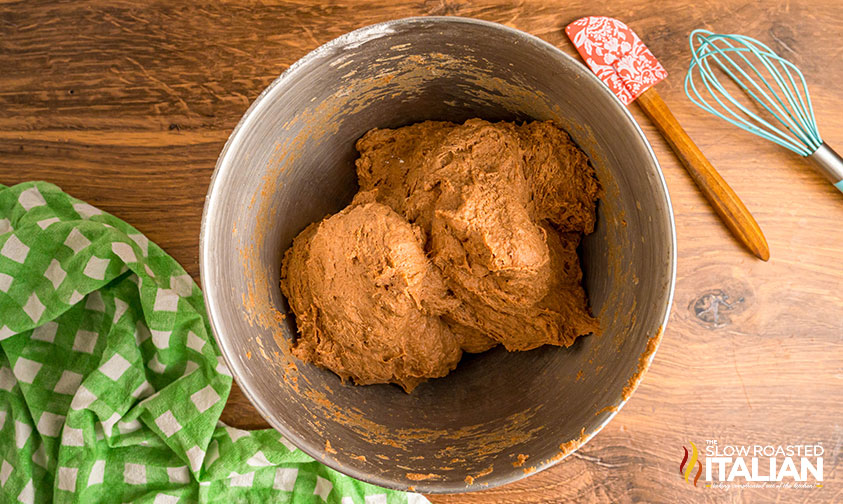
{"x": 619, "y": 58}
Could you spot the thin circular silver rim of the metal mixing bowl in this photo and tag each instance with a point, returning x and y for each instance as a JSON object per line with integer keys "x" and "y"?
{"x": 210, "y": 293}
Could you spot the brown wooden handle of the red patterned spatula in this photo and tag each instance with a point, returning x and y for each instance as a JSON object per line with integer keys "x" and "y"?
{"x": 718, "y": 193}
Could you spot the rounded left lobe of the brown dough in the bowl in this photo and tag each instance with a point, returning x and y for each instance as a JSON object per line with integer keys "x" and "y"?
{"x": 368, "y": 301}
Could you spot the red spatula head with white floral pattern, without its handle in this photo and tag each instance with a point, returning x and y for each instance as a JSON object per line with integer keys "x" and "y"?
{"x": 616, "y": 55}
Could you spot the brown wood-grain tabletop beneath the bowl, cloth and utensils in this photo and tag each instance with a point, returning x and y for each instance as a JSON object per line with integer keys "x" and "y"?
{"x": 127, "y": 104}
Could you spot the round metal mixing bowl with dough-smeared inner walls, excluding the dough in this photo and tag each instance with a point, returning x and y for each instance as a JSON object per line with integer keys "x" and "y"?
{"x": 290, "y": 162}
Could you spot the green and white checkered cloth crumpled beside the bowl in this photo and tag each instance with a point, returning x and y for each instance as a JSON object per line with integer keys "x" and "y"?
{"x": 111, "y": 387}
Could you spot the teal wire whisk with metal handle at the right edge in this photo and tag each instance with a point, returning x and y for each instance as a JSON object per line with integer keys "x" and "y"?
{"x": 773, "y": 82}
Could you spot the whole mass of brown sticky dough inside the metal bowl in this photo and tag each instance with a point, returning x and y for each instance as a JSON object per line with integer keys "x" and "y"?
{"x": 461, "y": 237}
